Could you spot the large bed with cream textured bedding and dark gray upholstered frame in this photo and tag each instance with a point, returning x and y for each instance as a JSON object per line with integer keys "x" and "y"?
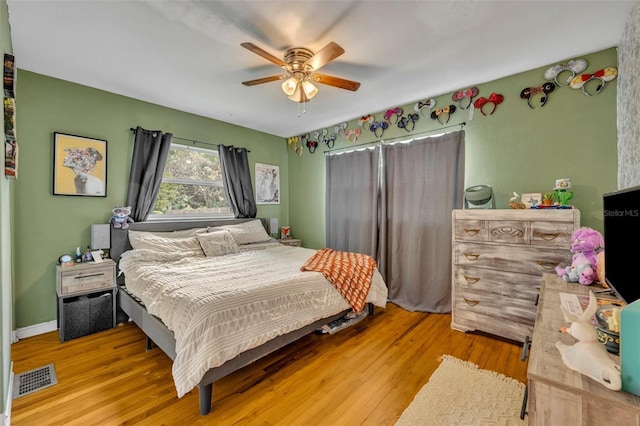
{"x": 262, "y": 302}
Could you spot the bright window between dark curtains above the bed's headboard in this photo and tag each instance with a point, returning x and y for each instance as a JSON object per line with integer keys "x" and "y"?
{"x": 191, "y": 185}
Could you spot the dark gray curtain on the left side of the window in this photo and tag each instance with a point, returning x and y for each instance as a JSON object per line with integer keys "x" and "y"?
{"x": 150, "y": 153}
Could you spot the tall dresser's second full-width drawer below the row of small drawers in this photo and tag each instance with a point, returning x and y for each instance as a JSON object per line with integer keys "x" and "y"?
{"x": 507, "y": 284}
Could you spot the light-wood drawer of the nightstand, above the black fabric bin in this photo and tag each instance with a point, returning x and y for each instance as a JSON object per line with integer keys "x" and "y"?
{"x": 79, "y": 279}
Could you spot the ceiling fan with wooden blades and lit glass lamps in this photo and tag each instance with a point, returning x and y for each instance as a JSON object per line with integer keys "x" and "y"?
{"x": 301, "y": 66}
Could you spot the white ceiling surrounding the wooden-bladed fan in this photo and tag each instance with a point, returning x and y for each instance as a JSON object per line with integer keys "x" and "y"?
{"x": 187, "y": 55}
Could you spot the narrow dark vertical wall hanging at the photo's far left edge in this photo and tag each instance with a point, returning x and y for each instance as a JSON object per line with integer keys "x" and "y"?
{"x": 9, "y": 104}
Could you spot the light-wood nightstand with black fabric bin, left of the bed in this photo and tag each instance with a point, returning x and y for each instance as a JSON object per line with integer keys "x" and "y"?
{"x": 86, "y": 298}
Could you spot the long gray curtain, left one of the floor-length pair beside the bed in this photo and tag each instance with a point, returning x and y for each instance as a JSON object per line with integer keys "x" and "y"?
{"x": 352, "y": 201}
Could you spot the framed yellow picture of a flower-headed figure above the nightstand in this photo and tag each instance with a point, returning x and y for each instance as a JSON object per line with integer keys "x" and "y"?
{"x": 79, "y": 165}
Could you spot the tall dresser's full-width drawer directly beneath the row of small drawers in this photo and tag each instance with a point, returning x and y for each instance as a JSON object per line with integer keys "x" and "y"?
{"x": 523, "y": 259}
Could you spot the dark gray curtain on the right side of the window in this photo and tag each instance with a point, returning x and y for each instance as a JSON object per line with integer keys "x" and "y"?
{"x": 236, "y": 179}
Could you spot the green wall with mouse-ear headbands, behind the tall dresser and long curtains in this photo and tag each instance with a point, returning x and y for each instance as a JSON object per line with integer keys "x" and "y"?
{"x": 516, "y": 149}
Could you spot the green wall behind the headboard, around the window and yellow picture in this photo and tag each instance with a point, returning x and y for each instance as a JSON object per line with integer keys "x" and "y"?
{"x": 46, "y": 225}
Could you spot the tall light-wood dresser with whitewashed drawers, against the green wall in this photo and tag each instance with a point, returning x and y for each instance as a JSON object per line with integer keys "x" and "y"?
{"x": 498, "y": 259}
